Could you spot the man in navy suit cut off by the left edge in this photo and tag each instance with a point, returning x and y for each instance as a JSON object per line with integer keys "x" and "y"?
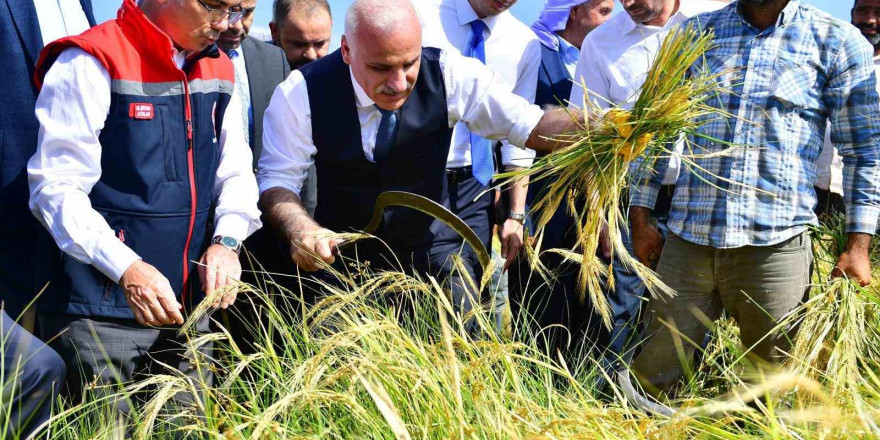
{"x": 27, "y": 257}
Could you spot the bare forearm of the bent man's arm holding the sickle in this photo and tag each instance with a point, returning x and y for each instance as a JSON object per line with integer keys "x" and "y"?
{"x": 284, "y": 212}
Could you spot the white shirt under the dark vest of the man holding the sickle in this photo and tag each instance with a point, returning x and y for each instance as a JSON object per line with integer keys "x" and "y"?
{"x": 473, "y": 96}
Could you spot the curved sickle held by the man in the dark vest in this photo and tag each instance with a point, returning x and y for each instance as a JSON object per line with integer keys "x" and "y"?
{"x": 427, "y": 206}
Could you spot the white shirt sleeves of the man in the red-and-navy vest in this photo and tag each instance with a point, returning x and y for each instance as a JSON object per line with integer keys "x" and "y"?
{"x": 72, "y": 108}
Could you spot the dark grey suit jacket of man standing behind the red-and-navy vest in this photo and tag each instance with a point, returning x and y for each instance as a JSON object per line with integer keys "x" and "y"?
{"x": 266, "y": 67}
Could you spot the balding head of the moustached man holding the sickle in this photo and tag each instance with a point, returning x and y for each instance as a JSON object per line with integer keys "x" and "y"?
{"x": 383, "y": 45}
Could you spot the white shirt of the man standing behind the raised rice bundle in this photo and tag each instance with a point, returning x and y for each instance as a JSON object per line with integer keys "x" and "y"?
{"x": 615, "y": 59}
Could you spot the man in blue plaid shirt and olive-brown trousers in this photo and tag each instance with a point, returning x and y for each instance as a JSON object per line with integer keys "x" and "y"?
{"x": 739, "y": 223}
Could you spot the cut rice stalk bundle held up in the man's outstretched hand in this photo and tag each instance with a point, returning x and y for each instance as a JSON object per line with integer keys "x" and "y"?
{"x": 590, "y": 176}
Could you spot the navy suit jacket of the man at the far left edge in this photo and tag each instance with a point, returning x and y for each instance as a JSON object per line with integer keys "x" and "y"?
{"x": 20, "y": 46}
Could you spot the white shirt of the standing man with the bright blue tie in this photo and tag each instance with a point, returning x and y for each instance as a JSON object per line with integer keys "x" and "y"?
{"x": 513, "y": 52}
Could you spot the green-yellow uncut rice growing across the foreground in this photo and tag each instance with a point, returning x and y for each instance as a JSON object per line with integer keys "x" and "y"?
{"x": 356, "y": 366}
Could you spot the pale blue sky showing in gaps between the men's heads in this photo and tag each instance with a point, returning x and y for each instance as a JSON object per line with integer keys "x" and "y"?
{"x": 526, "y": 10}
